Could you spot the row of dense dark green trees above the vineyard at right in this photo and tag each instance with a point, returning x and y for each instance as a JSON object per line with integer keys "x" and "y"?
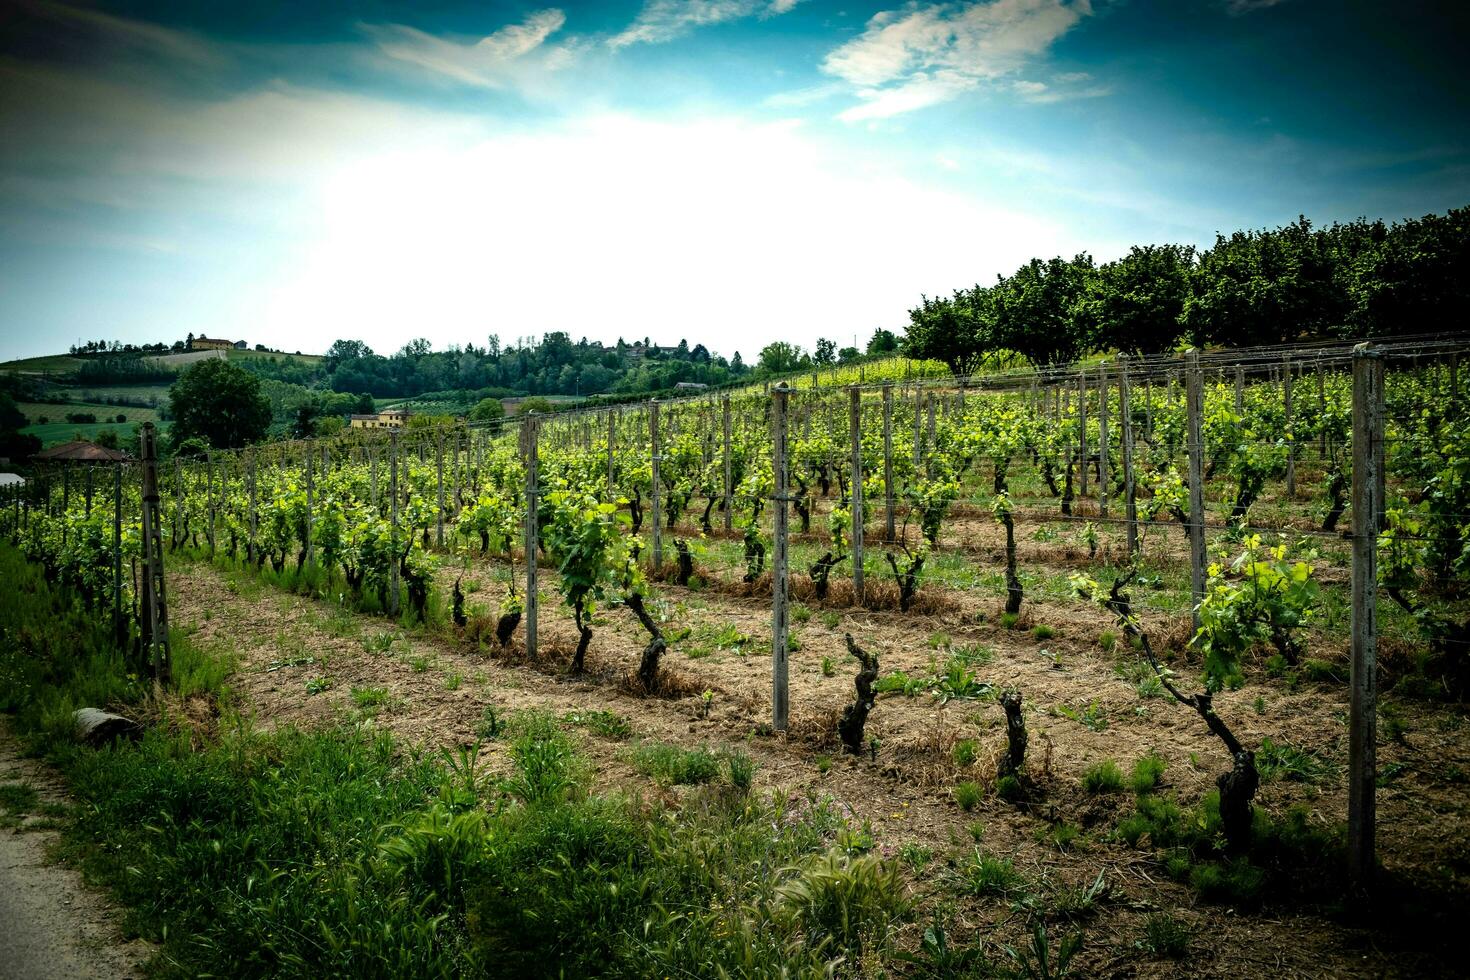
{"x": 1252, "y": 289}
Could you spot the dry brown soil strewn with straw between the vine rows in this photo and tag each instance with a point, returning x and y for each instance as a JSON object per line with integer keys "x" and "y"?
{"x": 440, "y": 684}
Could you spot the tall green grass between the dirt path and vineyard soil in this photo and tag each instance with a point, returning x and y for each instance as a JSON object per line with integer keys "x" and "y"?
{"x": 340, "y": 853}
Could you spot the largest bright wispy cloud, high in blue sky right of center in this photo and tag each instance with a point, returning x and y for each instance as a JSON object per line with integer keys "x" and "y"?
{"x": 930, "y": 54}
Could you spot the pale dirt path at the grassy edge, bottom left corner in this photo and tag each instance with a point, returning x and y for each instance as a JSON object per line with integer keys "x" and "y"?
{"x": 52, "y": 926}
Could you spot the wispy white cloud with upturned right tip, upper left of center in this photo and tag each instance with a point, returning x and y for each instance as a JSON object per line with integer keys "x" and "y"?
{"x": 478, "y": 62}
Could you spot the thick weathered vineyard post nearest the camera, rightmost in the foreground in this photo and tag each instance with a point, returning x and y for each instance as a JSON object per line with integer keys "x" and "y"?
{"x": 1368, "y": 503}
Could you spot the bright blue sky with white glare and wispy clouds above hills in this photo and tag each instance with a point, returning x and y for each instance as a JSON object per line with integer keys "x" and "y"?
{"x": 724, "y": 171}
